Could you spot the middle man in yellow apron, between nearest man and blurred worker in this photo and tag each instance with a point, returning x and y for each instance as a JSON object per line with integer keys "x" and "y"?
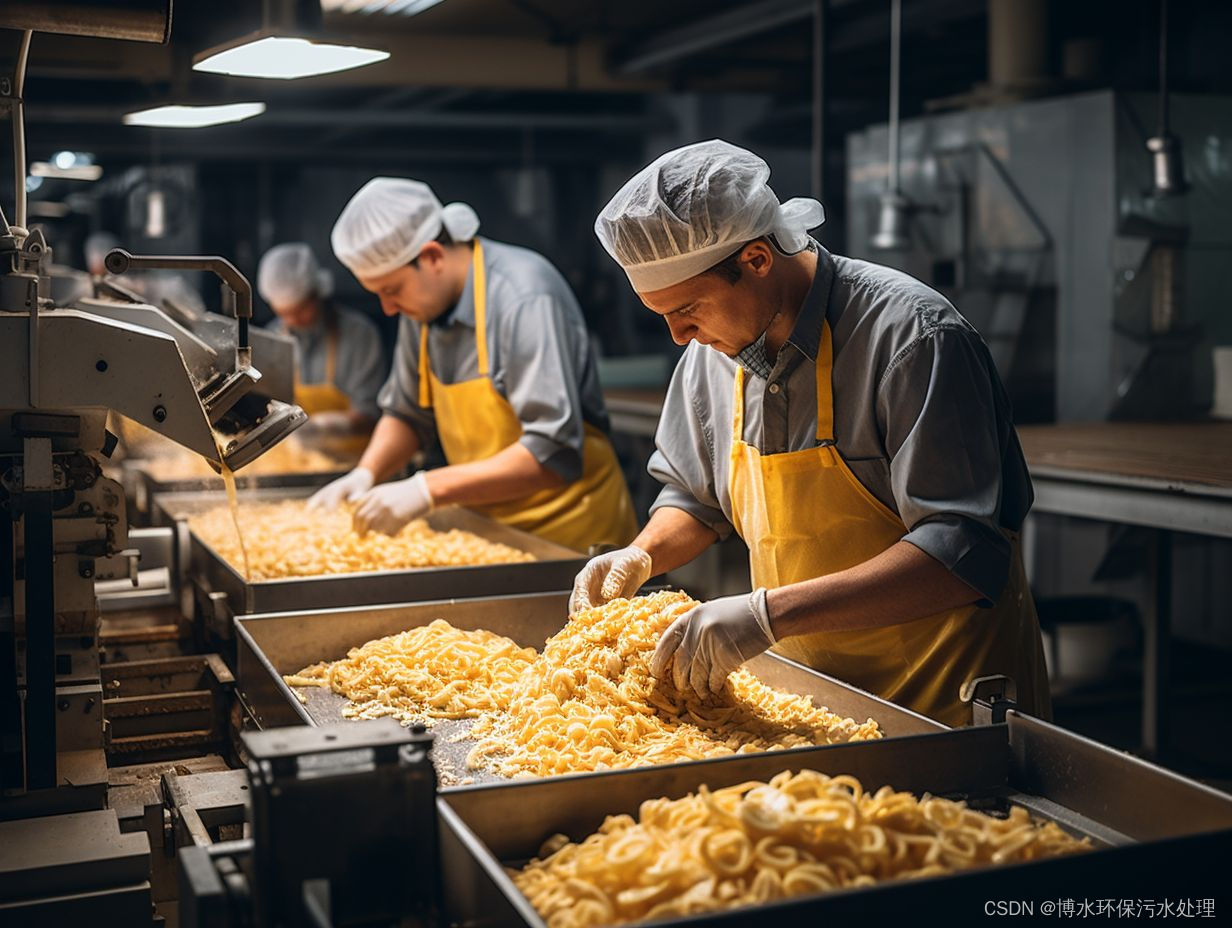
{"x": 493, "y": 363}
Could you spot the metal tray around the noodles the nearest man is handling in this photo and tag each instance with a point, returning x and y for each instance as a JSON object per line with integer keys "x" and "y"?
{"x": 274, "y": 645}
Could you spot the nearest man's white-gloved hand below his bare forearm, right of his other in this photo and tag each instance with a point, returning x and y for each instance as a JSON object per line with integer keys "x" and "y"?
{"x": 711, "y": 640}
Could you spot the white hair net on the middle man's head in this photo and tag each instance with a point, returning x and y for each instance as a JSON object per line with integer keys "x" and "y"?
{"x": 391, "y": 220}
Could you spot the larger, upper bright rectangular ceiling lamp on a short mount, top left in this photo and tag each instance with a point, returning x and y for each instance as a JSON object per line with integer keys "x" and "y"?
{"x": 285, "y": 47}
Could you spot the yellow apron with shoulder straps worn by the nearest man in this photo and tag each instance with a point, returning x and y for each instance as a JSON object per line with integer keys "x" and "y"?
{"x": 804, "y": 515}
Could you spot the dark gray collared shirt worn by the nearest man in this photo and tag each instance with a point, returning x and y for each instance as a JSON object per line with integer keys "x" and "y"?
{"x": 921, "y": 418}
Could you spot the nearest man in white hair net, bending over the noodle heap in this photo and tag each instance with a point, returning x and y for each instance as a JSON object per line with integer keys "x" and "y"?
{"x": 848, "y": 423}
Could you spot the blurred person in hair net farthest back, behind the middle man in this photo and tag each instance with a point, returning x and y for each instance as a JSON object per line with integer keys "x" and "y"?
{"x": 341, "y": 363}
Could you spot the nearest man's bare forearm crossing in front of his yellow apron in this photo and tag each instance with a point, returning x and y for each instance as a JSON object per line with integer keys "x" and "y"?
{"x": 898, "y": 586}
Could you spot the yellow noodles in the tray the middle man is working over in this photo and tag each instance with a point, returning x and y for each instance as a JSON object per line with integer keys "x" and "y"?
{"x": 285, "y": 540}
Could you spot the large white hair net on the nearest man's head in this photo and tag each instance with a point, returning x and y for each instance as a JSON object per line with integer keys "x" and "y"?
{"x": 693, "y": 208}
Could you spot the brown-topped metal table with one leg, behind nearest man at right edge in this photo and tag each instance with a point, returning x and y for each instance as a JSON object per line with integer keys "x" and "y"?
{"x": 1165, "y": 476}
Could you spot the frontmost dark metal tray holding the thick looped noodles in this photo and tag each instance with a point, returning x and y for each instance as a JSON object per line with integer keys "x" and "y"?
{"x": 1159, "y": 835}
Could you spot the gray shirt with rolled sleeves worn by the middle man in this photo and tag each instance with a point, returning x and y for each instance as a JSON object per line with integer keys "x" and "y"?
{"x": 539, "y": 357}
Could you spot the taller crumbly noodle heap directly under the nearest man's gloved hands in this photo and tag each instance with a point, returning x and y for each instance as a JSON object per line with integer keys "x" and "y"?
{"x": 590, "y": 704}
